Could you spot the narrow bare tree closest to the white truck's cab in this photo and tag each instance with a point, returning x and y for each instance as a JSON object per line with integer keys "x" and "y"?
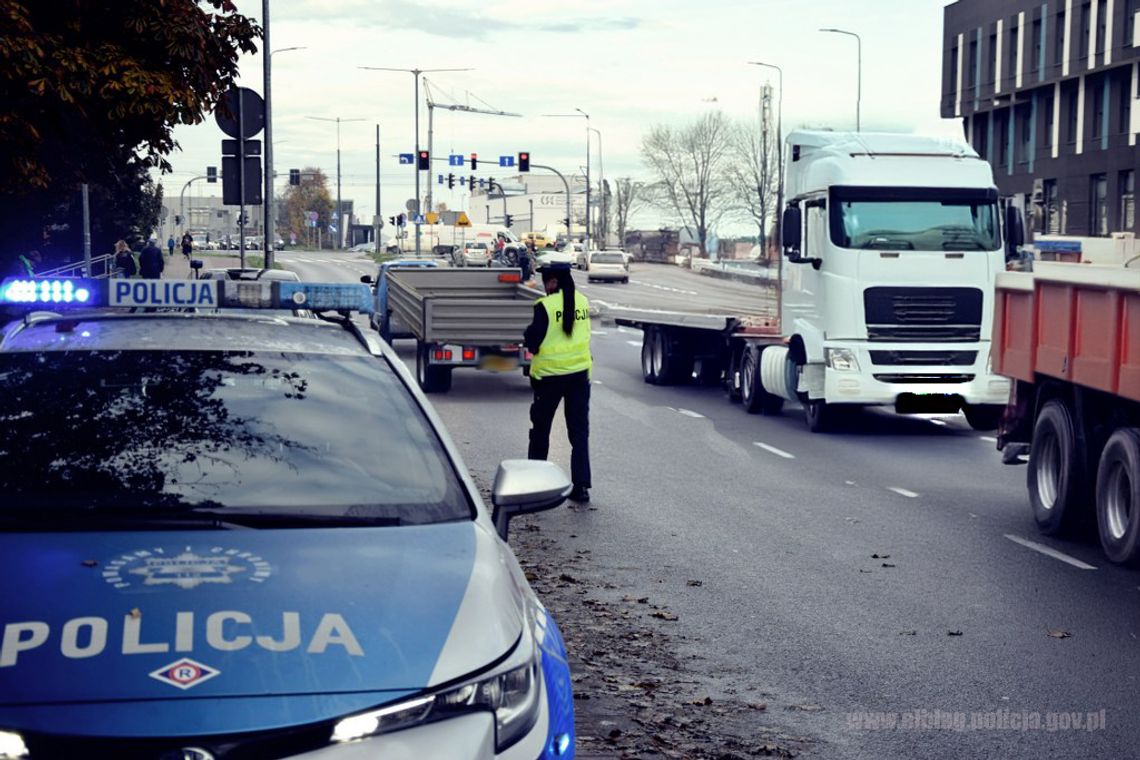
{"x": 754, "y": 176}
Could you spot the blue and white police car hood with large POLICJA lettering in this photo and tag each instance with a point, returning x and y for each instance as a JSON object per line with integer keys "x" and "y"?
{"x": 327, "y": 622}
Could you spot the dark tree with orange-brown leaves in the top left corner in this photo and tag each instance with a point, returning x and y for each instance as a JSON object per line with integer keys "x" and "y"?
{"x": 91, "y": 93}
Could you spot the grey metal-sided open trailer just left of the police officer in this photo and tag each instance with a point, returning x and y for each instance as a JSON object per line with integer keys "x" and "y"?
{"x": 462, "y": 318}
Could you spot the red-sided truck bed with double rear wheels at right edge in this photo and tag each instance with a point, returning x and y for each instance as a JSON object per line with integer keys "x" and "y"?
{"x": 1069, "y": 337}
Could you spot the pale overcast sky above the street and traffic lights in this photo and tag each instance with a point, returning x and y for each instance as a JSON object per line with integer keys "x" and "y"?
{"x": 628, "y": 63}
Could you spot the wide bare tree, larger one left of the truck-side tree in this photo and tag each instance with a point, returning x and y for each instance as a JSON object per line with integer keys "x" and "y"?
{"x": 689, "y": 165}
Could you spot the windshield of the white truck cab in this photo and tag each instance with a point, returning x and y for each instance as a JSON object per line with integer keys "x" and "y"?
{"x": 915, "y": 219}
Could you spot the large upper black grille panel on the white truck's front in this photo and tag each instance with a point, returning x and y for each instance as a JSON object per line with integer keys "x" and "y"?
{"x": 923, "y": 314}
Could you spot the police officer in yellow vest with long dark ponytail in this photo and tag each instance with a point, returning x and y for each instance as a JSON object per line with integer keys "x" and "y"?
{"x": 559, "y": 338}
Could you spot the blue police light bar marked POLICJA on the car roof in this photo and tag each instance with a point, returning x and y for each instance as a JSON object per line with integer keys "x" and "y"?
{"x": 186, "y": 295}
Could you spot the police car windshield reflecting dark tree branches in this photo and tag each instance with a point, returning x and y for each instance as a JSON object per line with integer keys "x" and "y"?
{"x": 259, "y": 431}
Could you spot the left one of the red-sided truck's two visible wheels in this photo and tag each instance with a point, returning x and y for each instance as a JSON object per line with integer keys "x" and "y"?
{"x": 1056, "y": 476}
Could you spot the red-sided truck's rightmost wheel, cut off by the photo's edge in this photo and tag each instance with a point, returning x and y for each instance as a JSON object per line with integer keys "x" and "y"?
{"x": 1119, "y": 497}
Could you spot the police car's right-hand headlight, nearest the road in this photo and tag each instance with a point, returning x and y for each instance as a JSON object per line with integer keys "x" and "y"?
{"x": 511, "y": 693}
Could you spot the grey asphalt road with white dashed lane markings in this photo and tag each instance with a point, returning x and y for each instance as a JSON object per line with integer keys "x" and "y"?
{"x": 886, "y": 569}
